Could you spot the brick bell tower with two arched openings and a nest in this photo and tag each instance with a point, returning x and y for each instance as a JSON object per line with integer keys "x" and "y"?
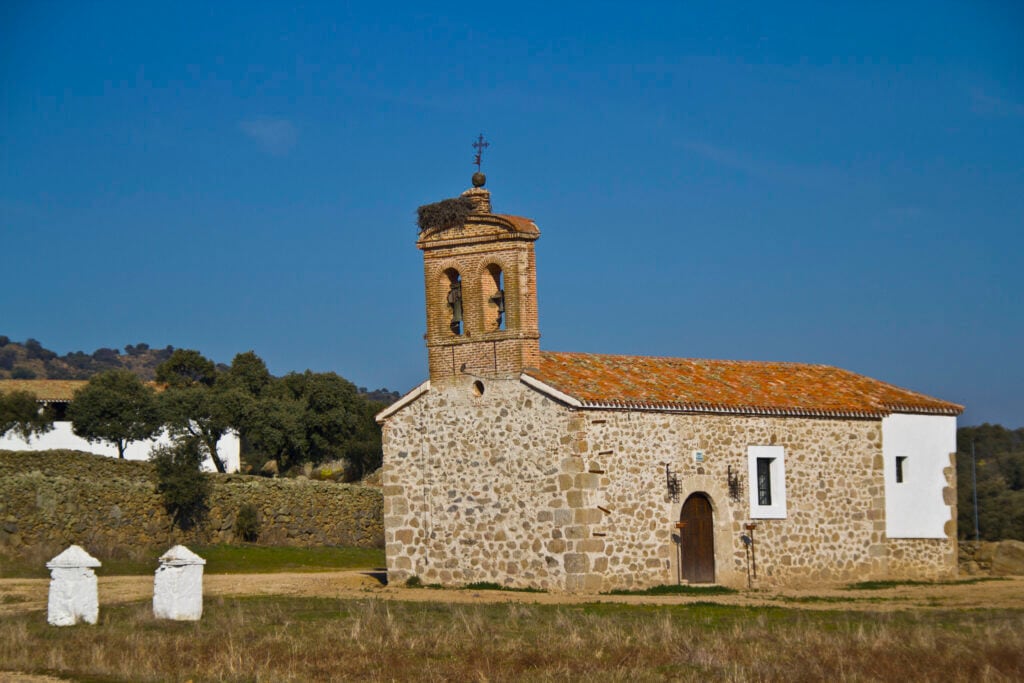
{"x": 481, "y": 283}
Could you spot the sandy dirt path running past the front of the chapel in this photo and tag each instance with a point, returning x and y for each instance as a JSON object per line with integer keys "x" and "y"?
{"x": 18, "y": 595}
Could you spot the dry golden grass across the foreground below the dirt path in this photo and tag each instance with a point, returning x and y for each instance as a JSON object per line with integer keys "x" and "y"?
{"x": 311, "y": 639}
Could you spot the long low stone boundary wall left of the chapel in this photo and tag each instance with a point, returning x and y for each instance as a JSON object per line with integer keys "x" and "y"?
{"x": 52, "y": 499}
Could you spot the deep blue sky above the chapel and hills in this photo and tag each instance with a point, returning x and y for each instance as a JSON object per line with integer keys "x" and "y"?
{"x": 822, "y": 183}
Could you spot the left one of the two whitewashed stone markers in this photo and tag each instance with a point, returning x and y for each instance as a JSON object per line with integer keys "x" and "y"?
{"x": 73, "y": 588}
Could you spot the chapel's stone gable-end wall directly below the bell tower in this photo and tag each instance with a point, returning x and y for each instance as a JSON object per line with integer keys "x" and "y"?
{"x": 461, "y": 496}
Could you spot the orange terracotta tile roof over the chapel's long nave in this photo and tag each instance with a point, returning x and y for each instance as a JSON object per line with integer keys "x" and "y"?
{"x": 729, "y": 387}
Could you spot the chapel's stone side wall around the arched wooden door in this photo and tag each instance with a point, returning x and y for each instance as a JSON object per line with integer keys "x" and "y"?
{"x": 835, "y": 524}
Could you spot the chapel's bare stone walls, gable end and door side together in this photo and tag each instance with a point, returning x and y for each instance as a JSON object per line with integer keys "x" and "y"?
{"x": 517, "y": 489}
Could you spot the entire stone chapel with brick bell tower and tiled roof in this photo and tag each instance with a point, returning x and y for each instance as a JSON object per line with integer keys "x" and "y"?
{"x": 586, "y": 474}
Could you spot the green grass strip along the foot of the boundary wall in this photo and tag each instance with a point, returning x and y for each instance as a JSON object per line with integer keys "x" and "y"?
{"x": 220, "y": 560}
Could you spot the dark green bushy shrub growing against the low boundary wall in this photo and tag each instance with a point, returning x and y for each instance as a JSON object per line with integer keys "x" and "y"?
{"x": 184, "y": 487}
